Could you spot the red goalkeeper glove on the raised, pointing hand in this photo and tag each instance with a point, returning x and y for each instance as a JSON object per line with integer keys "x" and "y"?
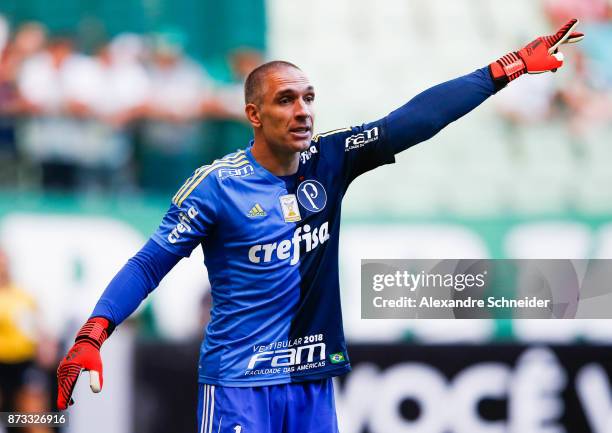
{"x": 539, "y": 56}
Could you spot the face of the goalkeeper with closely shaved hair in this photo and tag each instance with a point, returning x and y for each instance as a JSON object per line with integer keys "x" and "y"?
{"x": 286, "y": 110}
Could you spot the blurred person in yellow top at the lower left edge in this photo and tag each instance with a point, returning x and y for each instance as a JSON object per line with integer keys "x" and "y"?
{"x": 23, "y": 385}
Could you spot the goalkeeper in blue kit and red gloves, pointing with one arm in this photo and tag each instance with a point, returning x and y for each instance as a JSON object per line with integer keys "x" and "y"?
{"x": 267, "y": 218}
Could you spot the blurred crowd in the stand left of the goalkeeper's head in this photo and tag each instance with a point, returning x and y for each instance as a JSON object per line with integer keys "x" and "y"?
{"x": 127, "y": 116}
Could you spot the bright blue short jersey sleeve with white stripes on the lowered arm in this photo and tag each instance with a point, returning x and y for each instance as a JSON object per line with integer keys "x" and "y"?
{"x": 191, "y": 216}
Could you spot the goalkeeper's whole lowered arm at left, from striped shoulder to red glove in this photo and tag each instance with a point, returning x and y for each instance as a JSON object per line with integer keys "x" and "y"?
{"x": 185, "y": 225}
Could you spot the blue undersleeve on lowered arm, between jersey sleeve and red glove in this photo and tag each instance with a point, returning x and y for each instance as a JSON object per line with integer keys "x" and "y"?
{"x": 132, "y": 284}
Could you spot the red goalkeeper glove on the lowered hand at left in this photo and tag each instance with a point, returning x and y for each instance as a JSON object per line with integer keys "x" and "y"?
{"x": 84, "y": 355}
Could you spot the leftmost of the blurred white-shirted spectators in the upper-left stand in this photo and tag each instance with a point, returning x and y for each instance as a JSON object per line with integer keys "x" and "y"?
{"x": 59, "y": 86}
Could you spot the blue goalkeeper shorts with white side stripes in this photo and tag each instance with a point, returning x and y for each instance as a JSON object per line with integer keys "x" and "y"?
{"x": 306, "y": 407}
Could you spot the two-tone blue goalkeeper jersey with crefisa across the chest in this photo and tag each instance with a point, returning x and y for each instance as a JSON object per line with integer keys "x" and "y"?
{"x": 271, "y": 249}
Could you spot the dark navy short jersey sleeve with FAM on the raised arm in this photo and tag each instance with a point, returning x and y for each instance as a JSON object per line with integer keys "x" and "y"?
{"x": 353, "y": 151}
